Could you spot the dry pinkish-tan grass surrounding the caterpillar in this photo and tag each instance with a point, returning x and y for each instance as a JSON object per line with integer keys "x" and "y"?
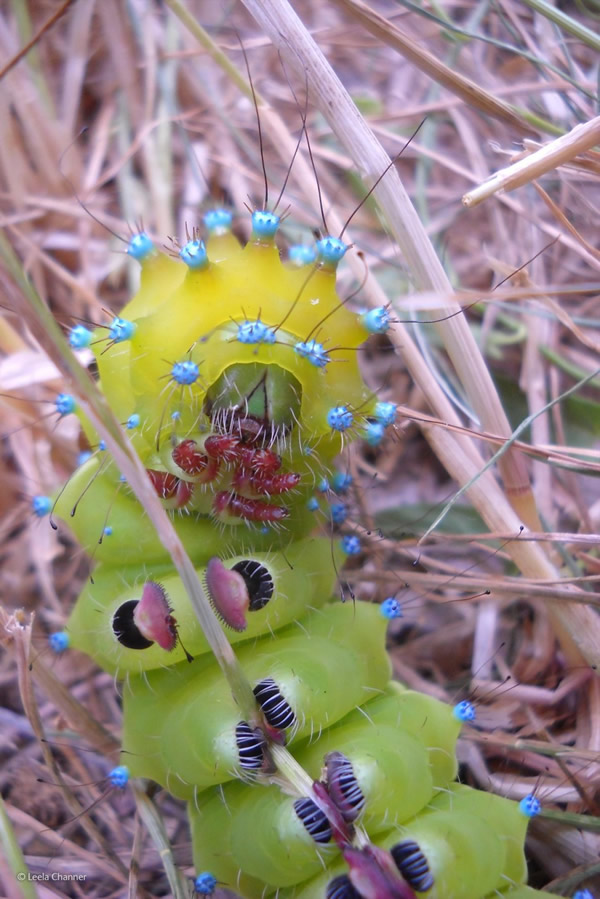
{"x": 167, "y": 129}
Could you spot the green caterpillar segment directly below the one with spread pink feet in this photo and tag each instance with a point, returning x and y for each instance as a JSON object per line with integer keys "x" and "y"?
{"x": 200, "y": 745}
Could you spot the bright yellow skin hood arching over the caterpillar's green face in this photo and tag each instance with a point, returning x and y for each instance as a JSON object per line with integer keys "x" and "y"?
{"x": 197, "y": 320}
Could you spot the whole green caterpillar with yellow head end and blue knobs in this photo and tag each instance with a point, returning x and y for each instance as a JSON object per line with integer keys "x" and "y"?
{"x": 238, "y": 417}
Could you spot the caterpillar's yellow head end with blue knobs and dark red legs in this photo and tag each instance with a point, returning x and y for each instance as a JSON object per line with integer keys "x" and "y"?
{"x": 190, "y": 365}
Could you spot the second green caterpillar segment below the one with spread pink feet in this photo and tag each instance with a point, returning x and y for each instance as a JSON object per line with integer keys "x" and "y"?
{"x": 392, "y": 771}
